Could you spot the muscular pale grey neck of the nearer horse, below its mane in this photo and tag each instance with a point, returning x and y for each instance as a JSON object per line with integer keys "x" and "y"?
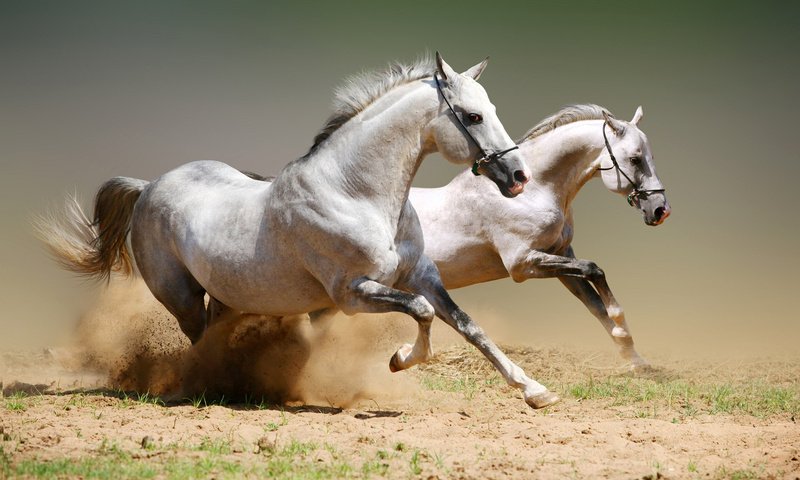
{"x": 375, "y": 155}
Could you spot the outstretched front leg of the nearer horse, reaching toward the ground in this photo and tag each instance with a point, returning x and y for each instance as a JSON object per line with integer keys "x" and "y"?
{"x": 426, "y": 280}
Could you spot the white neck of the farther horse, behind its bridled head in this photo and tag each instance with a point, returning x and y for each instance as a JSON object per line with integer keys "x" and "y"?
{"x": 564, "y": 159}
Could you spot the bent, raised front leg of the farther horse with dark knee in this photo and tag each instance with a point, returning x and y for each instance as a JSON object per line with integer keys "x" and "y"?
{"x": 536, "y": 264}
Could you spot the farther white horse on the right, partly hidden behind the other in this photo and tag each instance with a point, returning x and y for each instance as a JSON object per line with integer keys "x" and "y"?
{"x": 474, "y": 235}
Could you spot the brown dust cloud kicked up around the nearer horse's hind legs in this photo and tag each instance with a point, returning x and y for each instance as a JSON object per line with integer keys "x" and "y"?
{"x": 137, "y": 344}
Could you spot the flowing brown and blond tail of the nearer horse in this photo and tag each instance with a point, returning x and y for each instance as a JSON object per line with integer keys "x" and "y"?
{"x": 94, "y": 248}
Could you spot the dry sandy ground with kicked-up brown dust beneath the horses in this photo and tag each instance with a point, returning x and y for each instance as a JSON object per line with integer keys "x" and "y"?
{"x": 334, "y": 395}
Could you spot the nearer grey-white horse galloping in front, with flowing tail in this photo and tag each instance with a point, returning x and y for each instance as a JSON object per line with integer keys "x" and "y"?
{"x": 333, "y": 231}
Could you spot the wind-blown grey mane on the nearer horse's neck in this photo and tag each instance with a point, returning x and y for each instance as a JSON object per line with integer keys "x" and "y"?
{"x": 361, "y": 90}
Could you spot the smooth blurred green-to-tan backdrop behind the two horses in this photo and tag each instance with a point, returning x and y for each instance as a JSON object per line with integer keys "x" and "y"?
{"x": 90, "y": 90}
